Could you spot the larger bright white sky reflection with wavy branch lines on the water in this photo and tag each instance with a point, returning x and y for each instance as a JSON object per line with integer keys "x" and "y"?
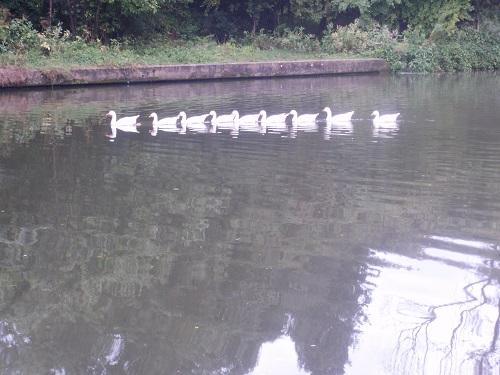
{"x": 436, "y": 315}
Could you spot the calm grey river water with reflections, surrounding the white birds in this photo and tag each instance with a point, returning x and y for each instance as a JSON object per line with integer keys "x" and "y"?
{"x": 351, "y": 250}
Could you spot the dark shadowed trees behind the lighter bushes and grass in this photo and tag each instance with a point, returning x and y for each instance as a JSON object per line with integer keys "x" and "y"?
{"x": 94, "y": 19}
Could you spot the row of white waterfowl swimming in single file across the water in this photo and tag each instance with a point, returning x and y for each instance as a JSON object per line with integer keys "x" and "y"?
{"x": 260, "y": 122}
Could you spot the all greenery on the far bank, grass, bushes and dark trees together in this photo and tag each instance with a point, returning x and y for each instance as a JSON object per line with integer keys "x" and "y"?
{"x": 420, "y": 36}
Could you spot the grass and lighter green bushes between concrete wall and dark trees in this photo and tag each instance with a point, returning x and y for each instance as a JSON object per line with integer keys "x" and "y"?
{"x": 464, "y": 50}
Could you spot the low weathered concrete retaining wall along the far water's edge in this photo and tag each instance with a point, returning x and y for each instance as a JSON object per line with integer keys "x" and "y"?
{"x": 19, "y": 77}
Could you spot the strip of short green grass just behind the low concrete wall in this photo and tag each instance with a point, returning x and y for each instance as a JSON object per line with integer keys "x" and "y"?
{"x": 77, "y": 53}
